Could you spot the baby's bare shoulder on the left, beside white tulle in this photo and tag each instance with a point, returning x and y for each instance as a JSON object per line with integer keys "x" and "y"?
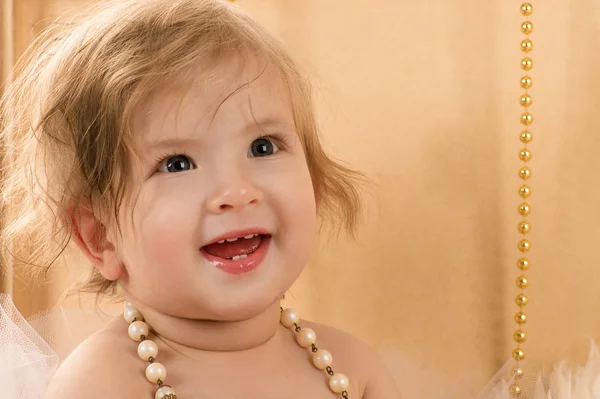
{"x": 100, "y": 367}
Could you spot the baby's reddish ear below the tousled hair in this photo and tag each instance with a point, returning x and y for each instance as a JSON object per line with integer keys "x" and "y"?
{"x": 90, "y": 235}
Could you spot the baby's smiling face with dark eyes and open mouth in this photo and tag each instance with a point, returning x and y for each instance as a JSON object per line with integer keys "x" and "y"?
{"x": 226, "y": 215}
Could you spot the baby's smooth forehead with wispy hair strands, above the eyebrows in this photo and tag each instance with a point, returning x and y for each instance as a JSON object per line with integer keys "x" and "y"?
{"x": 207, "y": 96}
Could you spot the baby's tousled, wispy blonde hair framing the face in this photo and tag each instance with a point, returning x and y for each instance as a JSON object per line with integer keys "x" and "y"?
{"x": 65, "y": 116}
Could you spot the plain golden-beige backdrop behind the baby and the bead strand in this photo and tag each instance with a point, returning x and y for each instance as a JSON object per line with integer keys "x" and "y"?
{"x": 423, "y": 97}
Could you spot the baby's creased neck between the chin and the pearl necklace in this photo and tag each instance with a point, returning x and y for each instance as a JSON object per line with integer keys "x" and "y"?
{"x": 215, "y": 336}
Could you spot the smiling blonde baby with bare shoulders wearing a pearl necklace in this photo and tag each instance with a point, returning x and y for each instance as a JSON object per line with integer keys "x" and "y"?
{"x": 175, "y": 143}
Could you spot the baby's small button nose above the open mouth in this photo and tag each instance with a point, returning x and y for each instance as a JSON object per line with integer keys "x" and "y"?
{"x": 234, "y": 195}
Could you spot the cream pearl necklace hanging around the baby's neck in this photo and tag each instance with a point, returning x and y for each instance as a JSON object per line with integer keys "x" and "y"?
{"x": 156, "y": 373}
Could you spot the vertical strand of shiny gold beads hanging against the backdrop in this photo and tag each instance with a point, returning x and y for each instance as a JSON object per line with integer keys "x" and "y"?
{"x": 524, "y": 208}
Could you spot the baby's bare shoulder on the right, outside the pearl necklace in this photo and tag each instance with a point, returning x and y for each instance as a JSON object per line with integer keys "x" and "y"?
{"x": 357, "y": 359}
